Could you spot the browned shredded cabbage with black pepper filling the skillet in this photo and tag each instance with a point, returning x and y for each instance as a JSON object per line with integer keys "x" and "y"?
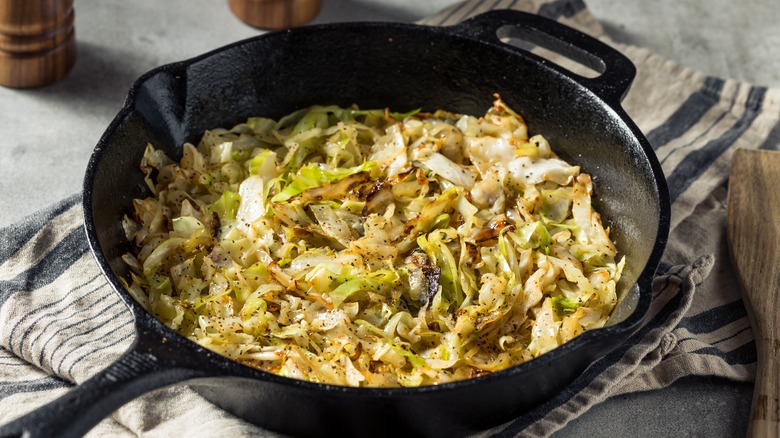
{"x": 369, "y": 248}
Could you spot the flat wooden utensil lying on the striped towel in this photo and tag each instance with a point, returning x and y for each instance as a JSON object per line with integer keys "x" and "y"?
{"x": 754, "y": 243}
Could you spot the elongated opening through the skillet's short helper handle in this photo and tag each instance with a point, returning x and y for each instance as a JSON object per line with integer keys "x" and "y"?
{"x": 552, "y": 49}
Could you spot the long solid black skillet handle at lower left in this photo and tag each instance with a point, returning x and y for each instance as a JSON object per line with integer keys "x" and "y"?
{"x": 136, "y": 372}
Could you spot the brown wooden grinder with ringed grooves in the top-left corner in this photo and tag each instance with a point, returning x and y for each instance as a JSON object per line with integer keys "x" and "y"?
{"x": 37, "y": 42}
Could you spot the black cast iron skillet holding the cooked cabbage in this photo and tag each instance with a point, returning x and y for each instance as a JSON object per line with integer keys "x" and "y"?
{"x": 374, "y": 65}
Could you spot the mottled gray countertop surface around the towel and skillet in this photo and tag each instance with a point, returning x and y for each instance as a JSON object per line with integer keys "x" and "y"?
{"x": 47, "y": 134}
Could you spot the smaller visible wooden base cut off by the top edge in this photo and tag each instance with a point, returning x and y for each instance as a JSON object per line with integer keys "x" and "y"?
{"x": 275, "y": 14}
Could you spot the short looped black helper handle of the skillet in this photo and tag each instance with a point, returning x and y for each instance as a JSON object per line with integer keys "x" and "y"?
{"x": 617, "y": 72}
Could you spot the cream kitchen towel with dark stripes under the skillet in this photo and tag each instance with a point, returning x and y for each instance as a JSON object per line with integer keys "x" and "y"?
{"x": 60, "y": 322}
